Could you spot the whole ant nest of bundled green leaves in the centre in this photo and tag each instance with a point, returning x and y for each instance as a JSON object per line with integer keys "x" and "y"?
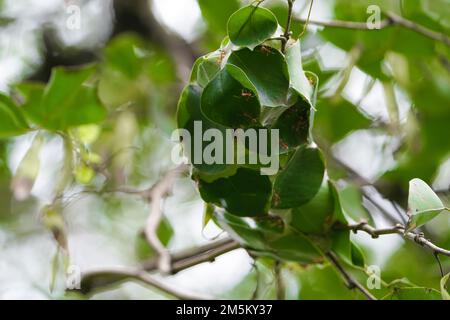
{"x": 291, "y": 214}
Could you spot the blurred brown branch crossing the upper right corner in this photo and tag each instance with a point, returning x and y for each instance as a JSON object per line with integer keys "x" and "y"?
{"x": 391, "y": 20}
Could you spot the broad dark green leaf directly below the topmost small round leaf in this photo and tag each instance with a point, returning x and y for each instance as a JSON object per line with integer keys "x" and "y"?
{"x": 266, "y": 68}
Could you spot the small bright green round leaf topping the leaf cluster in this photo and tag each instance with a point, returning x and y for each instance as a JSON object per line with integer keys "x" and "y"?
{"x": 250, "y": 26}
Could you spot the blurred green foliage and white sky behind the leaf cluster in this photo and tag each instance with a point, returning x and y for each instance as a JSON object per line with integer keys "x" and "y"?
{"x": 383, "y": 116}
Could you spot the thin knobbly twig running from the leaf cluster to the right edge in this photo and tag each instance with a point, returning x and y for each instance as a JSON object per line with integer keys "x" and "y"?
{"x": 399, "y": 229}
